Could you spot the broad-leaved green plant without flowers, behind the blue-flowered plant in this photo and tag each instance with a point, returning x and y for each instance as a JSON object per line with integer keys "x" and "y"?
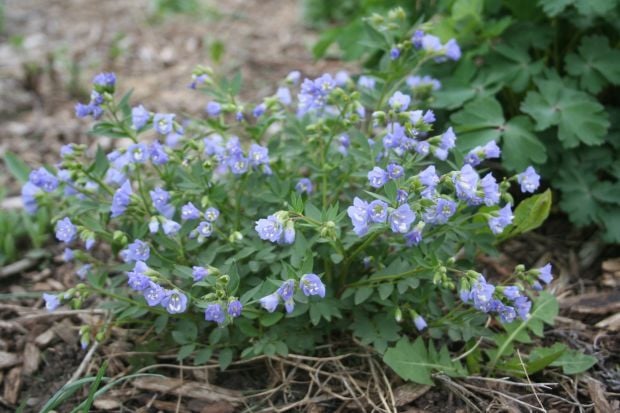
{"x": 542, "y": 78}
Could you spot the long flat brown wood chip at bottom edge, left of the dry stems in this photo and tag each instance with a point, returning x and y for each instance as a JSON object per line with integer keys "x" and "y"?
{"x": 190, "y": 389}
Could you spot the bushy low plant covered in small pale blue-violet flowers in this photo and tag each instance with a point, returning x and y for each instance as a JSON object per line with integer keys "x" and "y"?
{"x": 272, "y": 228}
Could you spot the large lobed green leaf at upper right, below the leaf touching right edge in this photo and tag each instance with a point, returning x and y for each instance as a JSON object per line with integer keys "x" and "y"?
{"x": 578, "y": 116}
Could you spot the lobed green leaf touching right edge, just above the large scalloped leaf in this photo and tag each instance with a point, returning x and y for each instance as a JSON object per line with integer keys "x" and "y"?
{"x": 596, "y": 64}
